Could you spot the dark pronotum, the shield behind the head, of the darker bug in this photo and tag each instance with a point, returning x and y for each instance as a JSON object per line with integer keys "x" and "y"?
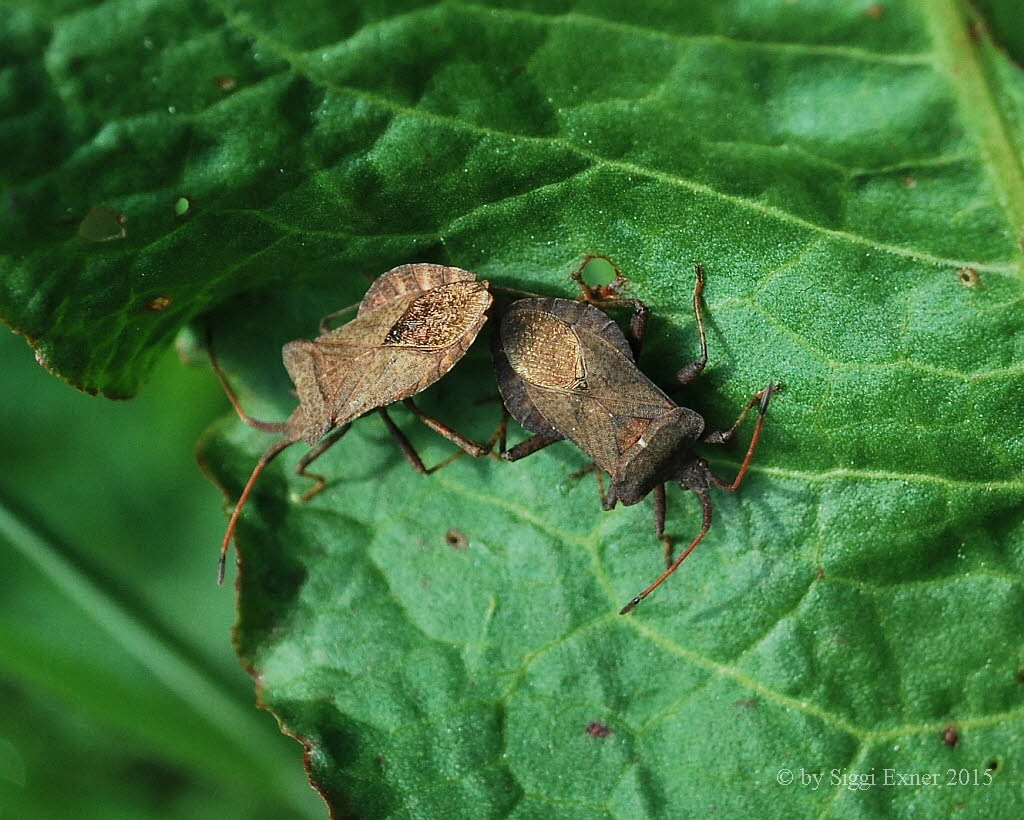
{"x": 661, "y": 454}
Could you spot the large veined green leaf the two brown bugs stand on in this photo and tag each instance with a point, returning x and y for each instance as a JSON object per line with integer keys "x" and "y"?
{"x": 850, "y": 175}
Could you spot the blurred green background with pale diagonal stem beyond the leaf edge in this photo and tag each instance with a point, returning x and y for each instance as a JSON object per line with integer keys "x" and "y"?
{"x": 119, "y": 696}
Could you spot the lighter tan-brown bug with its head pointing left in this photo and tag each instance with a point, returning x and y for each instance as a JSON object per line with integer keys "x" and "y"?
{"x": 414, "y": 324}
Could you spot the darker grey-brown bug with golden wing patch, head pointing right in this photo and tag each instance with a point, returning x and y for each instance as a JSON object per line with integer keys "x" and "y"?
{"x": 567, "y": 371}
